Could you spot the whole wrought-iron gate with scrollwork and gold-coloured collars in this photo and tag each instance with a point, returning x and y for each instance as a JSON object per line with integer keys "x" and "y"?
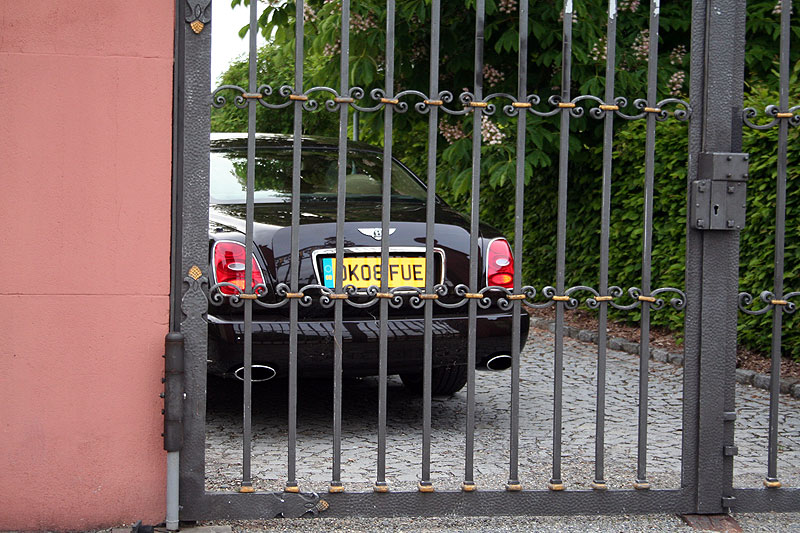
{"x": 715, "y": 191}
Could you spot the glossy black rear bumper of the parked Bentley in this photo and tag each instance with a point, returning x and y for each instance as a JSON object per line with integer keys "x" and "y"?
{"x": 360, "y": 343}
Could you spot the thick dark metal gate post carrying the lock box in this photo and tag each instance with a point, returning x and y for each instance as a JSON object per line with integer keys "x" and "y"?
{"x": 712, "y": 260}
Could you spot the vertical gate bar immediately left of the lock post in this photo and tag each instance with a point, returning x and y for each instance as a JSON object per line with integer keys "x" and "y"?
{"x": 647, "y": 244}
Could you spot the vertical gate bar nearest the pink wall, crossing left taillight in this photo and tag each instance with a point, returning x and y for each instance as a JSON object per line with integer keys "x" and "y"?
{"x": 247, "y": 431}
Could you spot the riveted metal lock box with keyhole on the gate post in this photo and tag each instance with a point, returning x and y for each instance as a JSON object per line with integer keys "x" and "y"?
{"x": 718, "y": 198}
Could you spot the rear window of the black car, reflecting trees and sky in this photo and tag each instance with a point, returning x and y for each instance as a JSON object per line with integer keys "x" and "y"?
{"x": 318, "y": 176}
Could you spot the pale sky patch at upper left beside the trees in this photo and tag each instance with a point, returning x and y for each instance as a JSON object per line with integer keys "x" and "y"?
{"x": 225, "y": 42}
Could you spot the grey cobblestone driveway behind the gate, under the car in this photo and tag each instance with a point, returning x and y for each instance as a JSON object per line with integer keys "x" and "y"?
{"x": 359, "y": 429}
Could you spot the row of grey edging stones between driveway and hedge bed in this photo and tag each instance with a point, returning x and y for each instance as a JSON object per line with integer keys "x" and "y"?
{"x": 746, "y": 377}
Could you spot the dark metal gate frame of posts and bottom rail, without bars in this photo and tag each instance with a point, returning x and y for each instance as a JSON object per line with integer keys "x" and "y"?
{"x": 711, "y": 314}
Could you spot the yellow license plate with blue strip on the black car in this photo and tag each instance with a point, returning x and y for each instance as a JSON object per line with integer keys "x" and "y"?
{"x": 362, "y": 272}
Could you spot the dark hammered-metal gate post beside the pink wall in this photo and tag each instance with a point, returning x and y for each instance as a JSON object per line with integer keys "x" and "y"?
{"x": 190, "y": 263}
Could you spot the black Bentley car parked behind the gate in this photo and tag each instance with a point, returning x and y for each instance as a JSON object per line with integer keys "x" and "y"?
{"x": 362, "y": 238}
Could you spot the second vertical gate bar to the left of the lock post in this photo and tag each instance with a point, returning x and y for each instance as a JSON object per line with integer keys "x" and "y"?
{"x": 599, "y": 482}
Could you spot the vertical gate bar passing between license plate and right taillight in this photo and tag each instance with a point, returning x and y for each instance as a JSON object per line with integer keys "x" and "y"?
{"x": 469, "y": 476}
